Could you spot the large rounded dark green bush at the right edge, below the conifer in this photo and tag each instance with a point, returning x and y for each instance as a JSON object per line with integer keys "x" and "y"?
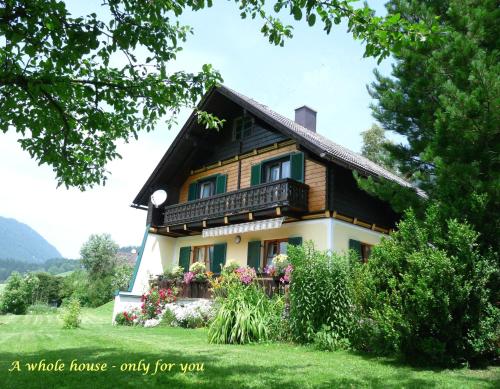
{"x": 427, "y": 292}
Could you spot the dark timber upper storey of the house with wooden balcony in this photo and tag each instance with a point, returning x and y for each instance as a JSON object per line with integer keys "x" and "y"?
{"x": 253, "y": 169}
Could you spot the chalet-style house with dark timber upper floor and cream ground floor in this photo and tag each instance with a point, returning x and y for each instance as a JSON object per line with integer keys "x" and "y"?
{"x": 246, "y": 191}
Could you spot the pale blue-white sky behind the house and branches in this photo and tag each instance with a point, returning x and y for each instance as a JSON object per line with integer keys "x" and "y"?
{"x": 325, "y": 72}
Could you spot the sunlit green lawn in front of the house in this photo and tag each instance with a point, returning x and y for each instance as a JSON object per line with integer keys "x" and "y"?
{"x": 31, "y": 338}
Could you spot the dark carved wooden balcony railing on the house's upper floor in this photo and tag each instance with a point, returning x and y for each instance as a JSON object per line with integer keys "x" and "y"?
{"x": 283, "y": 193}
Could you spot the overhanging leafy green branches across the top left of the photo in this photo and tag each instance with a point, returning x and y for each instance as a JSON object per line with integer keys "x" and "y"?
{"x": 73, "y": 86}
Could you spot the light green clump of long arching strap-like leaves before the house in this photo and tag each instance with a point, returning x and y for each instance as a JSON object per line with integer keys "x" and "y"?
{"x": 244, "y": 313}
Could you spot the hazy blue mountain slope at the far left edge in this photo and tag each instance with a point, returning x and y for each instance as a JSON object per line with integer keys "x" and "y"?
{"x": 21, "y": 242}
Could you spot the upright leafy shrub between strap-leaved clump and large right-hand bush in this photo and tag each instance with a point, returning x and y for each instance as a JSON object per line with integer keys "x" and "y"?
{"x": 319, "y": 294}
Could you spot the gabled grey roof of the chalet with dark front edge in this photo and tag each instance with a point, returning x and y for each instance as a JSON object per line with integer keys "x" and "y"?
{"x": 319, "y": 144}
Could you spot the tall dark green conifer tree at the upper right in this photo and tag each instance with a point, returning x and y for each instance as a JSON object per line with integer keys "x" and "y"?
{"x": 443, "y": 96}
